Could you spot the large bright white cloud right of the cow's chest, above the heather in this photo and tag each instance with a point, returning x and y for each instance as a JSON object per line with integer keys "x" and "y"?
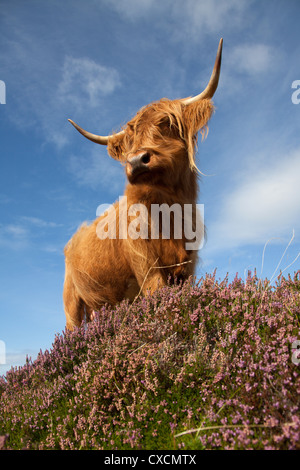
{"x": 264, "y": 204}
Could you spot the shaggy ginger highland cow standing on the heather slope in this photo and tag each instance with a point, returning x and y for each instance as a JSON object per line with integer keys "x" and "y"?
{"x": 158, "y": 149}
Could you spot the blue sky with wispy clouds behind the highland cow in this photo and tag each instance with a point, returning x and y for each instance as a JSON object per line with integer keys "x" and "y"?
{"x": 97, "y": 62}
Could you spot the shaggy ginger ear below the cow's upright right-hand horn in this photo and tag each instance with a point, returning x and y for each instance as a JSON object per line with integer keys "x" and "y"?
{"x": 196, "y": 116}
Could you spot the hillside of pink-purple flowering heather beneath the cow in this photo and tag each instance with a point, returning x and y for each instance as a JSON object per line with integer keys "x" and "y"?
{"x": 206, "y": 366}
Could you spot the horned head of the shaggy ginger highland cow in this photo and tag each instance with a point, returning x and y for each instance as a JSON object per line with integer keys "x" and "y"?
{"x": 158, "y": 144}
